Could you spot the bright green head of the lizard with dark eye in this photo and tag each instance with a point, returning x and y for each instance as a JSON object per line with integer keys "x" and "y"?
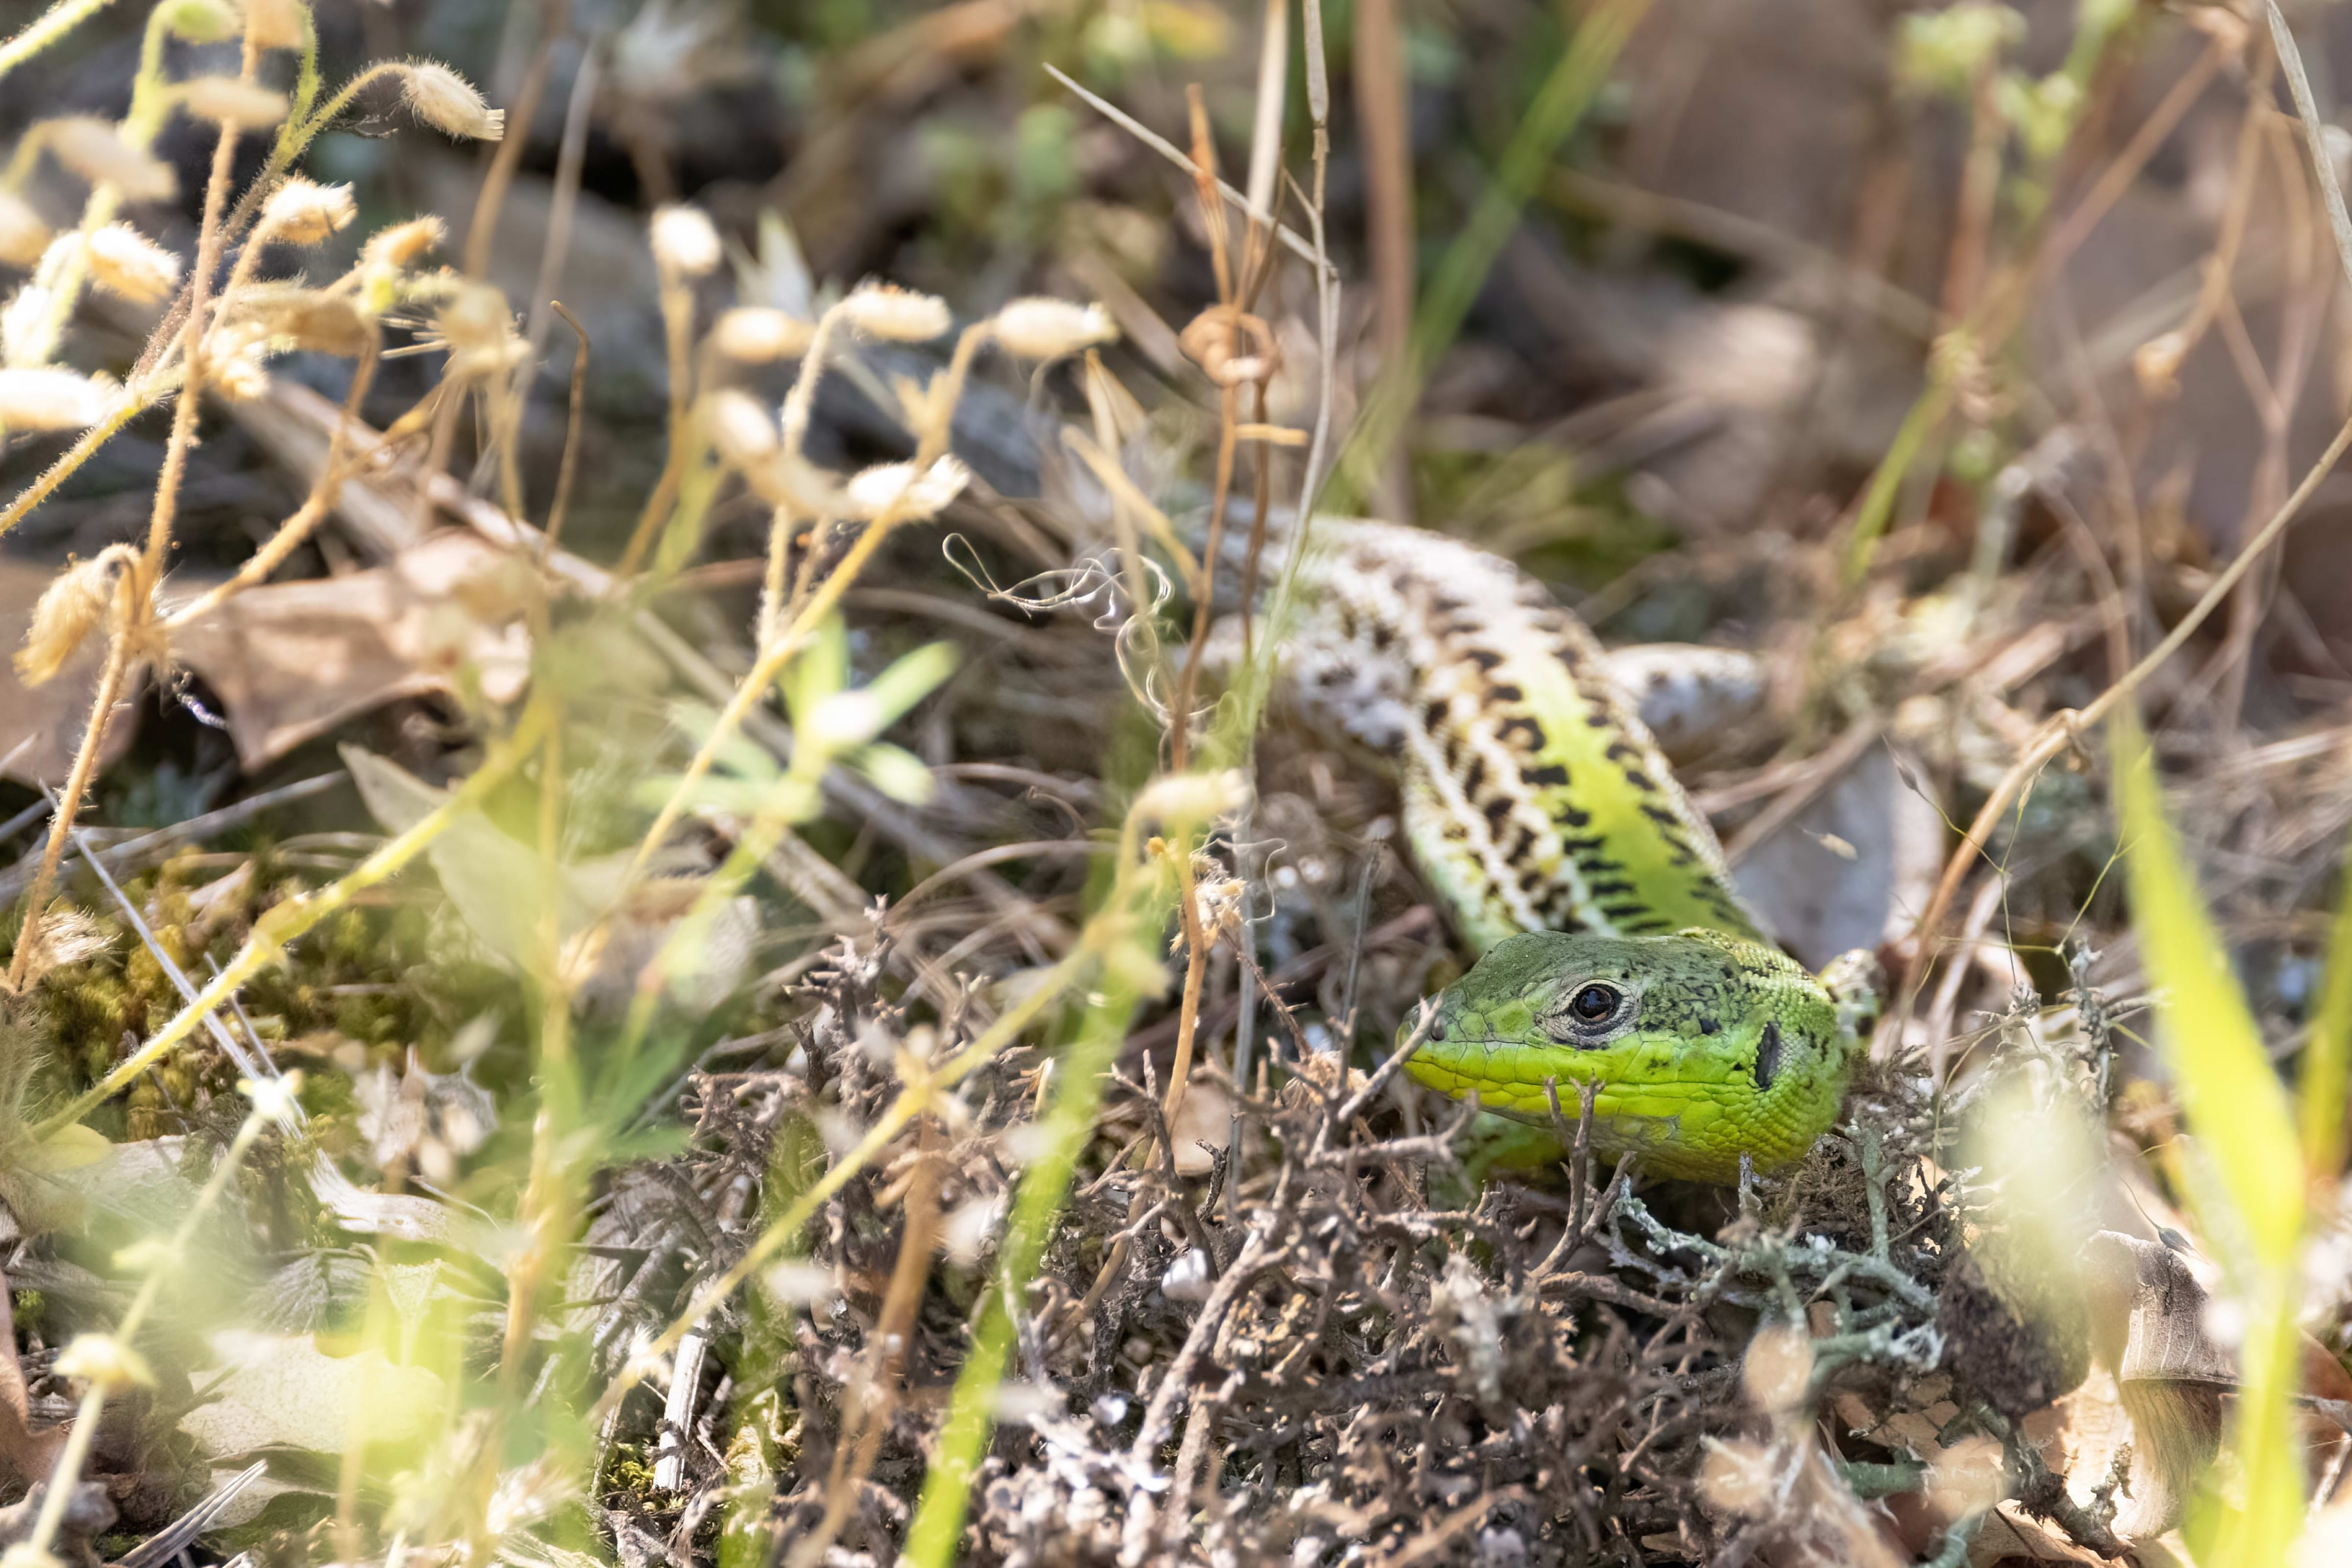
{"x": 1702, "y": 1047}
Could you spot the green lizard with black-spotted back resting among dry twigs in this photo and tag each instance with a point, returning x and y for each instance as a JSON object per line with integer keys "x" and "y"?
{"x": 1615, "y": 949}
